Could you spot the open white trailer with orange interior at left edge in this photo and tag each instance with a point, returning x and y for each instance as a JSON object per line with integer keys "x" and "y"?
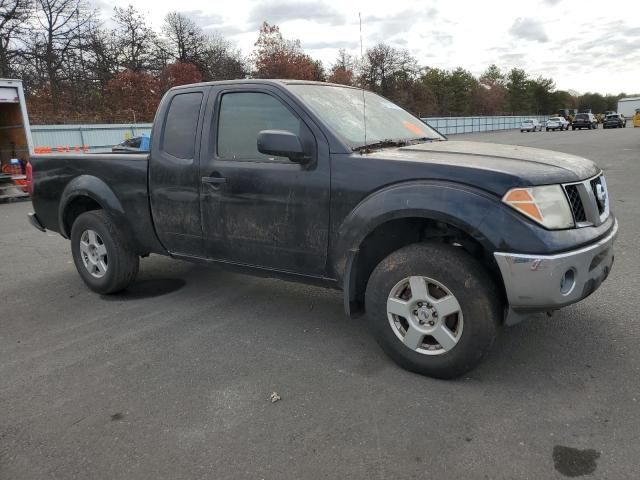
{"x": 15, "y": 139}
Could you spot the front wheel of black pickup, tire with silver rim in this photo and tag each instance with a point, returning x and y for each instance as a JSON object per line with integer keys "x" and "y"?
{"x": 475, "y": 322}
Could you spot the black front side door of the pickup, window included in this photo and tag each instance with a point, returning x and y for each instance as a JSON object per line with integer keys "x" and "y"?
{"x": 257, "y": 209}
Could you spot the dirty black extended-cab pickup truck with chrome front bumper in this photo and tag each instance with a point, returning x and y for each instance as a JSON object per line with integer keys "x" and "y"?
{"x": 438, "y": 242}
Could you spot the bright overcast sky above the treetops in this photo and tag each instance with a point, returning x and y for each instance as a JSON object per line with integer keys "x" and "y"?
{"x": 583, "y": 45}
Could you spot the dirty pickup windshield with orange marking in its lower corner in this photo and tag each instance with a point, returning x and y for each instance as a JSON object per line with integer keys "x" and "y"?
{"x": 342, "y": 110}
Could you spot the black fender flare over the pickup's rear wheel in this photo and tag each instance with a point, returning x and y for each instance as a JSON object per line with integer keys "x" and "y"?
{"x": 94, "y": 188}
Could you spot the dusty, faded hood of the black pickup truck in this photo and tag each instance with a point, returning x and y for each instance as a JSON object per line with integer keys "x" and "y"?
{"x": 491, "y": 166}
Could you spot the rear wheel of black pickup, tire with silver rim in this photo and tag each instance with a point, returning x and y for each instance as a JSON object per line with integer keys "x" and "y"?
{"x": 106, "y": 261}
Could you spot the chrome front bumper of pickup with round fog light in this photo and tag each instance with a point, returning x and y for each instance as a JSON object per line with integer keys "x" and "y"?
{"x": 536, "y": 283}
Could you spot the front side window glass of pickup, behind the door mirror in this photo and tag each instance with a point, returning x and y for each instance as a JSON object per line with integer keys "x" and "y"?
{"x": 242, "y": 116}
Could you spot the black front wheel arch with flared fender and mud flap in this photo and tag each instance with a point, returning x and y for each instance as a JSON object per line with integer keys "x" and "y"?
{"x": 405, "y": 214}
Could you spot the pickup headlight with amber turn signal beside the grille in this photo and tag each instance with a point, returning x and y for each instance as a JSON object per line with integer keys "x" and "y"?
{"x": 547, "y": 205}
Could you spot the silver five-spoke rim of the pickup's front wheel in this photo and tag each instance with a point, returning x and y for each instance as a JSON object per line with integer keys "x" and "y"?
{"x": 425, "y": 315}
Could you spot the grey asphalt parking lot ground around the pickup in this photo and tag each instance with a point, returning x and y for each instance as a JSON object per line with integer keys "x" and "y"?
{"x": 171, "y": 380}
